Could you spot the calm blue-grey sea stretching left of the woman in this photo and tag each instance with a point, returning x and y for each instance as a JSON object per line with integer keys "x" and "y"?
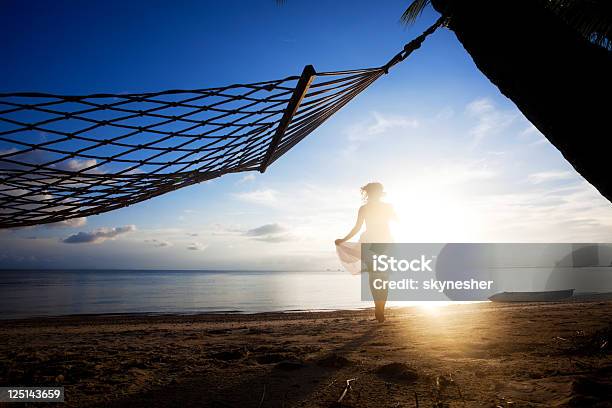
{"x": 65, "y": 292}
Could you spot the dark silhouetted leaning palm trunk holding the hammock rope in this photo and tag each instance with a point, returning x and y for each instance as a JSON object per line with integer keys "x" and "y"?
{"x": 560, "y": 81}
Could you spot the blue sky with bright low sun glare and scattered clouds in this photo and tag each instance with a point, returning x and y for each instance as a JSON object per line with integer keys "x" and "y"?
{"x": 458, "y": 160}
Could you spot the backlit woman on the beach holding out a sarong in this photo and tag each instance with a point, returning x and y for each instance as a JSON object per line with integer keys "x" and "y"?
{"x": 377, "y": 216}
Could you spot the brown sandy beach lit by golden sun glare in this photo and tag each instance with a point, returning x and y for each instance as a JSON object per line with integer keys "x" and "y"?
{"x": 478, "y": 355}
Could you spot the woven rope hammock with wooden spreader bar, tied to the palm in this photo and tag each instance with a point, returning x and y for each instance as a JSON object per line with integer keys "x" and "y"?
{"x": 63, "y": 157}
